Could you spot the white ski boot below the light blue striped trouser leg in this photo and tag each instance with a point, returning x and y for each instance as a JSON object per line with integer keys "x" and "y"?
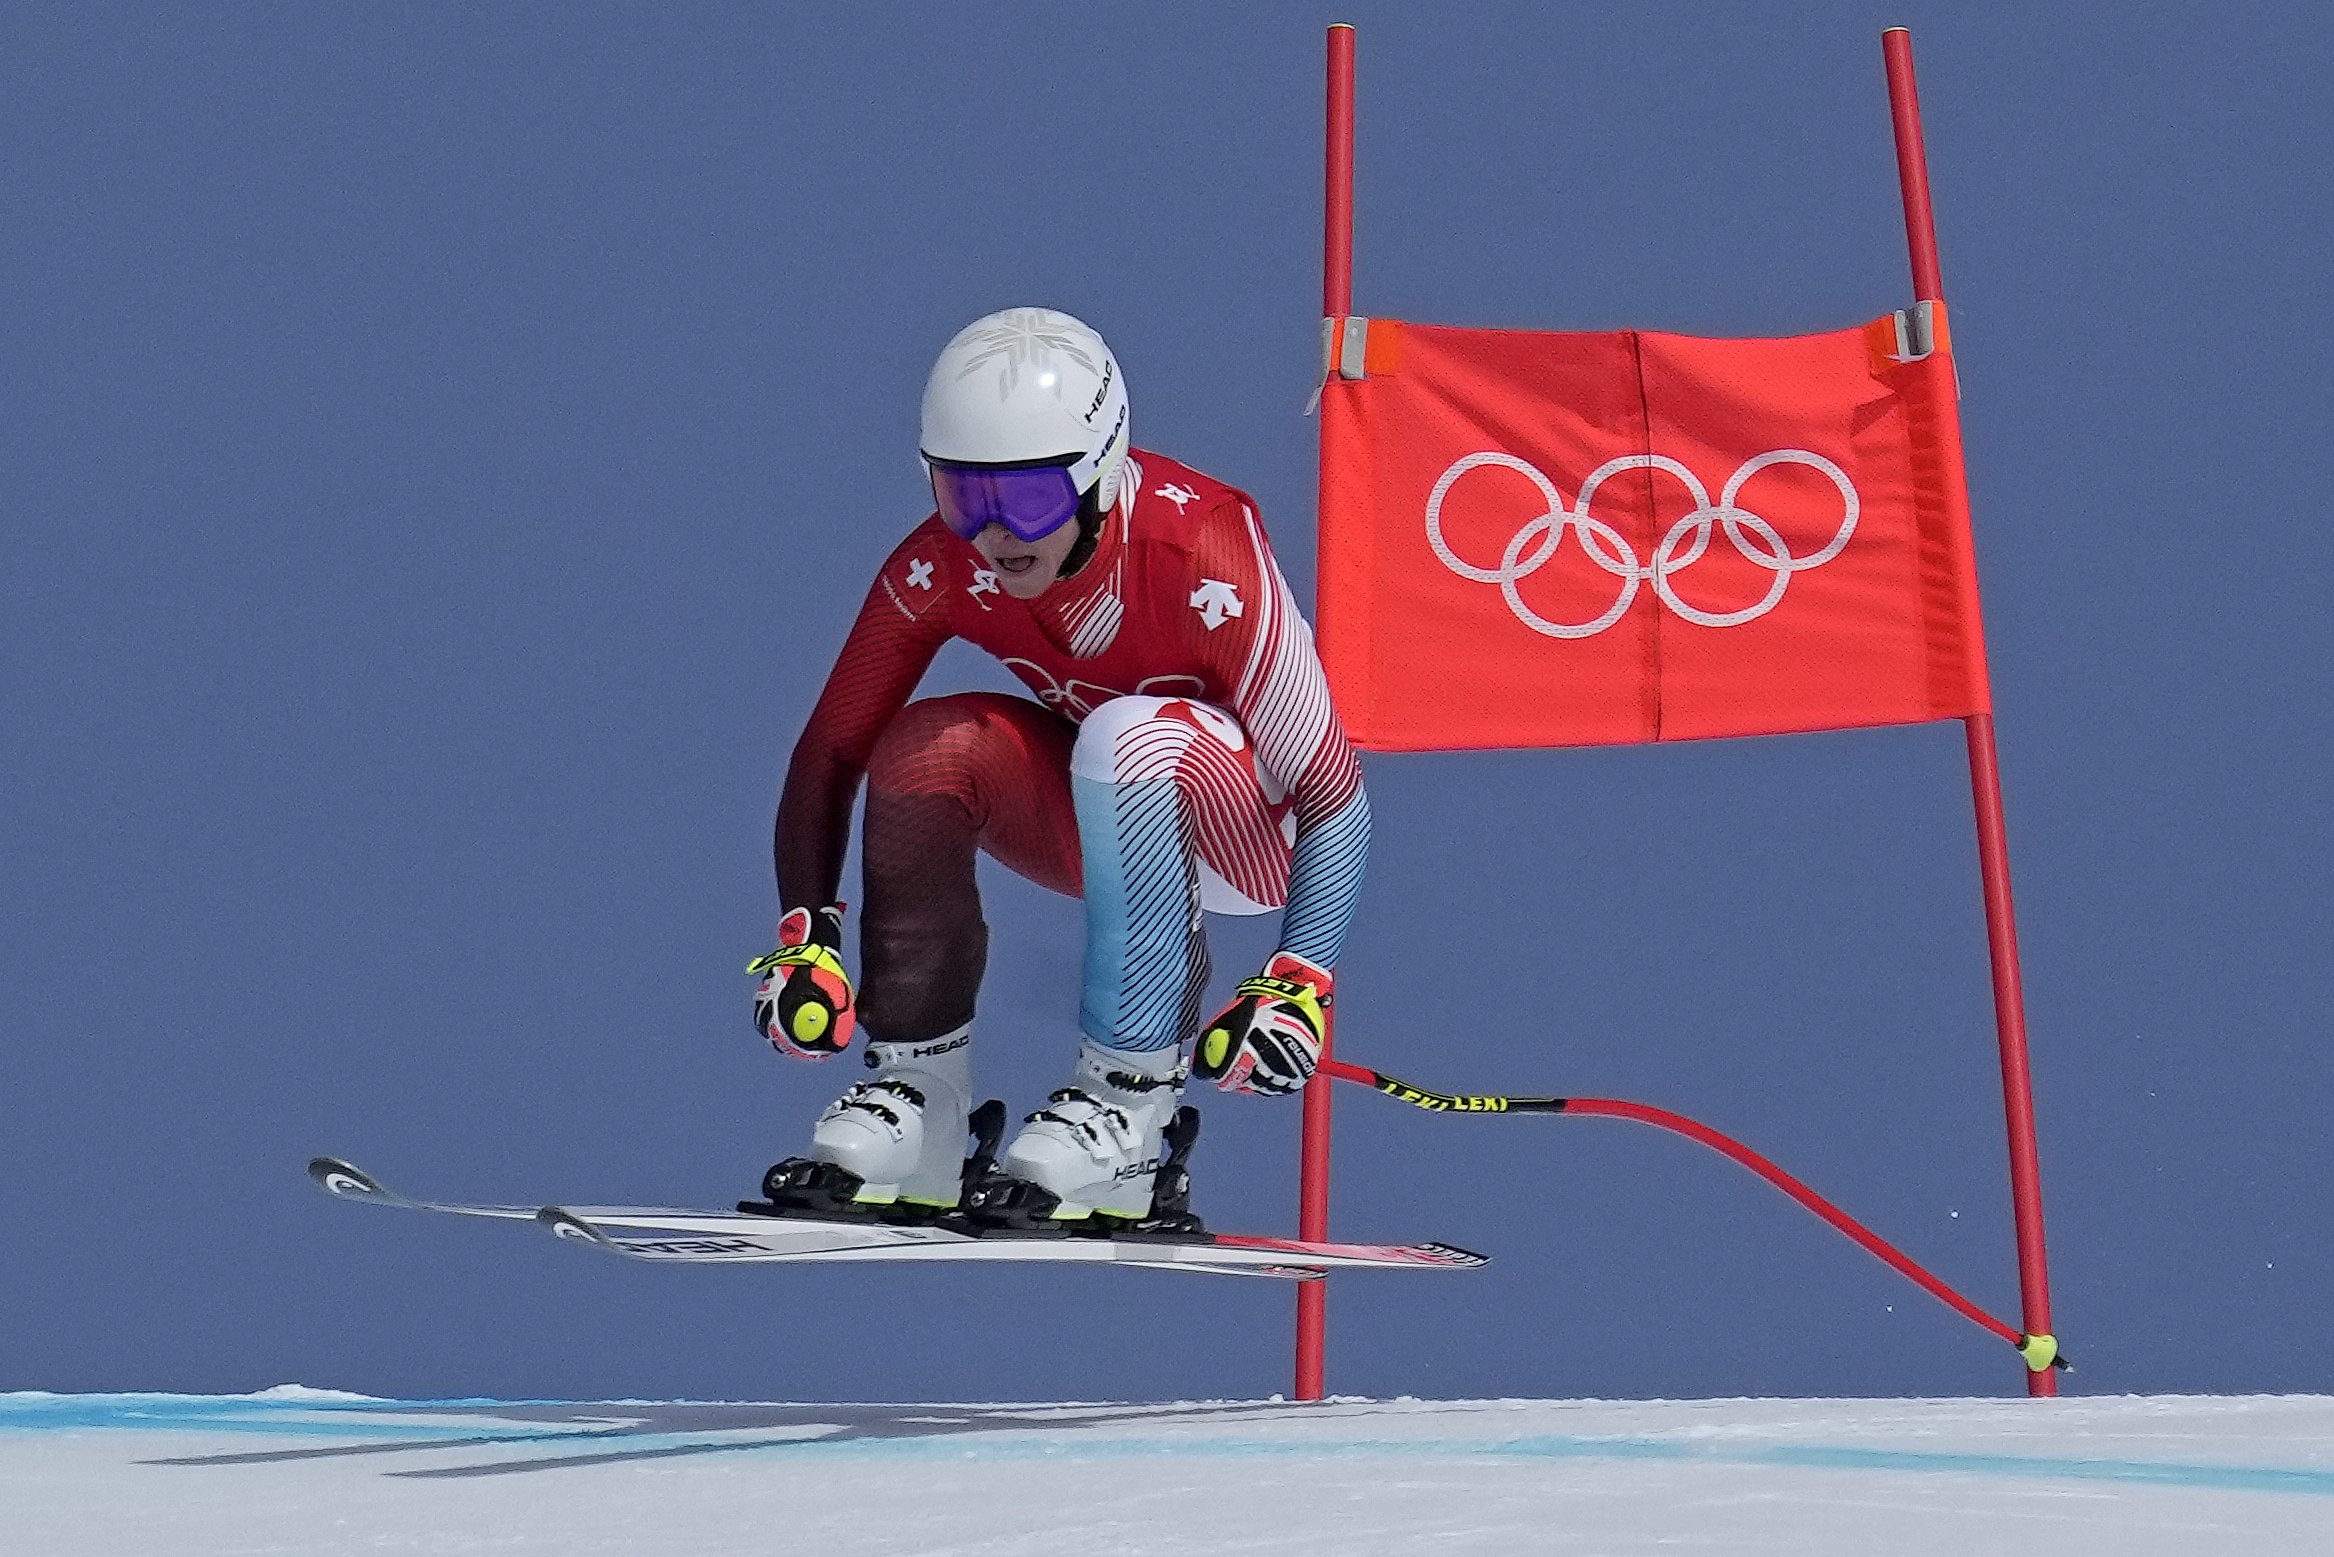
{"x": 1093, "y": 1152}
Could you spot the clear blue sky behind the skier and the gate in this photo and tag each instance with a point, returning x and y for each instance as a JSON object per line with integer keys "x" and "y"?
{"x": 440, "y": 454}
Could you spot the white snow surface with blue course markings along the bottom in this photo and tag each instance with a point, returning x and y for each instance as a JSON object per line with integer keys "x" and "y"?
{"x": 319, "y": 1474}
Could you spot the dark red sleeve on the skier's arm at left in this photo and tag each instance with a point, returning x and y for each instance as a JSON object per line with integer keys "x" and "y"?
{"x": 902, "y": 624}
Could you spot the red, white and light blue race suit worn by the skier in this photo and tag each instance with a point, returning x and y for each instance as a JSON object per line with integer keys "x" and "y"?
{"x": 1220, "y": 774}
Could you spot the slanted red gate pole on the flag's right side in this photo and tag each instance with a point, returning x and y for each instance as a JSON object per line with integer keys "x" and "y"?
{"x": 1985, "y": 783}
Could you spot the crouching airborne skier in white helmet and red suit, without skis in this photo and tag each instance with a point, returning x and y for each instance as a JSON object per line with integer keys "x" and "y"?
{"x": 1180, "y": 753}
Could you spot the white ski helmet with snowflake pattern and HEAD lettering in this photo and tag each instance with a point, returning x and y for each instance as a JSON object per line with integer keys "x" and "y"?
{"x": 1030, "y": 389}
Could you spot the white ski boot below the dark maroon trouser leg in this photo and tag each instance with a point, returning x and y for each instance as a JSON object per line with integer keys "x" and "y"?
{"x": 893, "y": 1145}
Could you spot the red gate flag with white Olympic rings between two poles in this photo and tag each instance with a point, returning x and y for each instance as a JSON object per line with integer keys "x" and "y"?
{"x": 1558, "y": 540}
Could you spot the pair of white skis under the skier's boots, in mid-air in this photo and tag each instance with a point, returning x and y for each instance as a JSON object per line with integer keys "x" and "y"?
{"x": 676, "y": 1236}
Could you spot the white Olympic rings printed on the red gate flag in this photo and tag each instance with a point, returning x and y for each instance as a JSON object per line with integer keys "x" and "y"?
{"x": 1609, "y": 550}
